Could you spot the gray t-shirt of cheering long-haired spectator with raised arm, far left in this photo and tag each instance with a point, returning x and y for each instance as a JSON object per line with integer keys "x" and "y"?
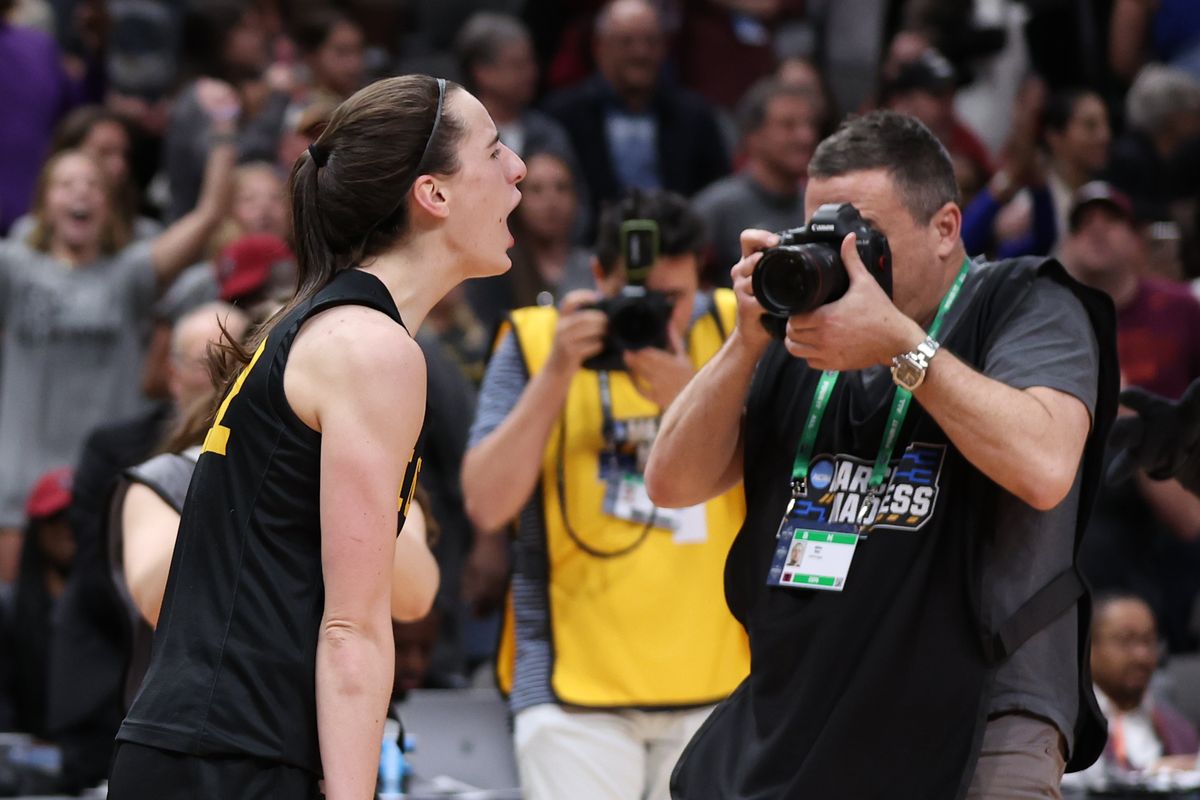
{"x": 73, "y": 357}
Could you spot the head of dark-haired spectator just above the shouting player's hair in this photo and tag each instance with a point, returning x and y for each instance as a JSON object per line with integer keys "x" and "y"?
{"x": 332, "y": 46}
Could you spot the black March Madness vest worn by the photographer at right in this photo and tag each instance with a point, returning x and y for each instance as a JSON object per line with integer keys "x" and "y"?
{"x": 883, "y": 690}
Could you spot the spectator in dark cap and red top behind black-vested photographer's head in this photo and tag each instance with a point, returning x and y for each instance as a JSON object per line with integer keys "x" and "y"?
{"x": 925, "y": 88}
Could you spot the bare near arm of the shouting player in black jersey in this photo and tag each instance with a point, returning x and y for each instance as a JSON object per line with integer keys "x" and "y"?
{"x": 362, "y": 380}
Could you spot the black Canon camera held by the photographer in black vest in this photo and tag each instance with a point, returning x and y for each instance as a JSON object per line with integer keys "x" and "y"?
{"x": 805, "y": 272}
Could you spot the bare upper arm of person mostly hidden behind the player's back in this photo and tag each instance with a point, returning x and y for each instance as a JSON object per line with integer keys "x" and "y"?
{"x": 149, "y": 527}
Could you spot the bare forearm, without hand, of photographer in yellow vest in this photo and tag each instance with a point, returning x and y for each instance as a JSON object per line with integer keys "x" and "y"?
{"x": 501, "y": 473}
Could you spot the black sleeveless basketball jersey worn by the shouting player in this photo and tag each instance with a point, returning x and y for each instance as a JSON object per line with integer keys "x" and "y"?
{"x": 233, "y": 669}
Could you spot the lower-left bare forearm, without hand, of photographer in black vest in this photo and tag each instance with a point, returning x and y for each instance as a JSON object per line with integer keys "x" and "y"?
{"x": 698, "y": 454}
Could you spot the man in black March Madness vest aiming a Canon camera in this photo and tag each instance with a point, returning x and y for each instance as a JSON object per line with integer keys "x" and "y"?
{"x": 933, "y": 636}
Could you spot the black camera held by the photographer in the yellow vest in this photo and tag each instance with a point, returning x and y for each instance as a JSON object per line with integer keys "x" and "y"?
{"x": 638, "y": 317}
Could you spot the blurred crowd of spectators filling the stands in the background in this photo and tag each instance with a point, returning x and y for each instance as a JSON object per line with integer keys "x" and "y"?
{"x": 145, "y": 157}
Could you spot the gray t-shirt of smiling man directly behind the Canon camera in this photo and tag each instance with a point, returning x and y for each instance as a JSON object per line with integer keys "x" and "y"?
{"x": 736, "y": 203}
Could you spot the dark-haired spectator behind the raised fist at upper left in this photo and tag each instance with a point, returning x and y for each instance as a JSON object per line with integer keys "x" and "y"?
{"x": 223, "y": 40}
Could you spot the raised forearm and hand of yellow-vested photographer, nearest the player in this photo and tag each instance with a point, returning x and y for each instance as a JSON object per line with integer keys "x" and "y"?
{"x": 501, "y": 472}
